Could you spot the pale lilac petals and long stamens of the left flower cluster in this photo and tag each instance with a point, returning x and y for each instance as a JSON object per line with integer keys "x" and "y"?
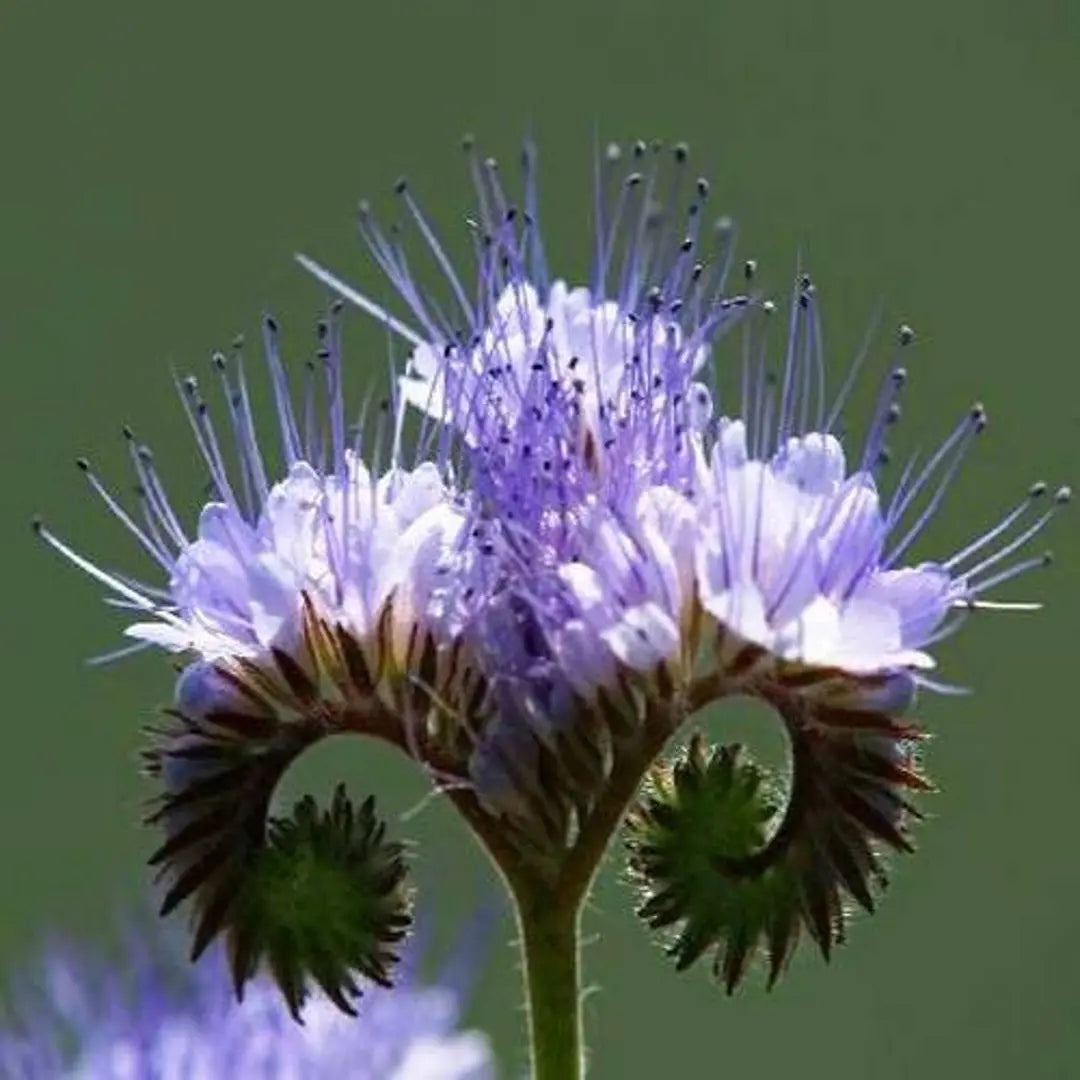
{"x": 329, "y": 532}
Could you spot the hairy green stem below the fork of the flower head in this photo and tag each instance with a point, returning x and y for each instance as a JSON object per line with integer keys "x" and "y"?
{"x": 550, "y": 948}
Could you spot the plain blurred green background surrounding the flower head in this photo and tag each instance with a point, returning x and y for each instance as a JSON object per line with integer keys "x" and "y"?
{"x": 163, "y": 163}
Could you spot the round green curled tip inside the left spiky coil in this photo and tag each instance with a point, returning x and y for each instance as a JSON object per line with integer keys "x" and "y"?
{"x": 325, "y": 900}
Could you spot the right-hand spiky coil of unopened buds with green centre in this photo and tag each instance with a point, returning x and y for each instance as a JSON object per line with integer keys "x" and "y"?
{"x": 714, "y": 857}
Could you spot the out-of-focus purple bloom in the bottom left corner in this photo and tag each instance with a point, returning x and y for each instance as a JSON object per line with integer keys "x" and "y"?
{"x": 87, "y": 1021}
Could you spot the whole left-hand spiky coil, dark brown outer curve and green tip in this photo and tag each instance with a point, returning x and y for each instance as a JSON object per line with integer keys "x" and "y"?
{"x": 317, "y": 896}
